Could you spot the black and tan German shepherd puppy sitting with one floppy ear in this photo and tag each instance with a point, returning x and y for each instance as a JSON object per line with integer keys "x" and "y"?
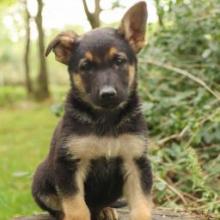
{"x": 98, "y": 150}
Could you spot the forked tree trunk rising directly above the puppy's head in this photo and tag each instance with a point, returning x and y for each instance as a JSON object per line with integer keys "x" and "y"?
{"x": 93, "y": 18}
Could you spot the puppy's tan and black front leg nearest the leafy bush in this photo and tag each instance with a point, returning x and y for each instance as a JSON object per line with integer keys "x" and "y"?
{"x": 137, "y": 188}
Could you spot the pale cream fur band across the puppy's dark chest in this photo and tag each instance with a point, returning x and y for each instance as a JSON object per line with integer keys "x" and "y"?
{"x": 126, "y": 146}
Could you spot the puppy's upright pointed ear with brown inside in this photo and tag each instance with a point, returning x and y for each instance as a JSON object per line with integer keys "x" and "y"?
{"x": 133, "y": 25}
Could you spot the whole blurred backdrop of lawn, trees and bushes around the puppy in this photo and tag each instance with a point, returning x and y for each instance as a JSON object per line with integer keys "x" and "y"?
{"x": 179, "y": 82}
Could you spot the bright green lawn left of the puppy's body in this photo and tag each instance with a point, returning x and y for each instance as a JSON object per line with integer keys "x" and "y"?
{"x": 24, "y": 141}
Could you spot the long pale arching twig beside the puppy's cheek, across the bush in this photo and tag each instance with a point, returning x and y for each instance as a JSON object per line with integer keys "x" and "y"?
{"x": 184, "y": 73}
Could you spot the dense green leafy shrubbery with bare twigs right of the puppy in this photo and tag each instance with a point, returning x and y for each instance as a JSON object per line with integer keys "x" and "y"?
{"x": 183, "y": 116}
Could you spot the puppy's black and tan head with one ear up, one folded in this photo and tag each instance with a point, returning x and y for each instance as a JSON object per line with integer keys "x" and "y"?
{"x": 102, "y": 62}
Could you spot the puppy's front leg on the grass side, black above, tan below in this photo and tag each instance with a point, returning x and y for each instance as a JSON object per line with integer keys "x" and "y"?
{"x": 70, "y": 175}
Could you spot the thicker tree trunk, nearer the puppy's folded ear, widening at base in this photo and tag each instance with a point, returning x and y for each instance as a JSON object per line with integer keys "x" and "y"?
{"x": 42, "y": 91}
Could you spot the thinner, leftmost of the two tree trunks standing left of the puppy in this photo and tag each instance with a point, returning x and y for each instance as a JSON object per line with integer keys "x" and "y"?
{"x": 28, "y": 83}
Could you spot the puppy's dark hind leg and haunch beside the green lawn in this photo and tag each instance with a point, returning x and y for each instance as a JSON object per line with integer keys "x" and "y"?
{"x": 44, "y": 192}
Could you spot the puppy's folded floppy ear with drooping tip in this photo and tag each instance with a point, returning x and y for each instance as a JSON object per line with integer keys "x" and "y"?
{"x": 62, "y": 46}
